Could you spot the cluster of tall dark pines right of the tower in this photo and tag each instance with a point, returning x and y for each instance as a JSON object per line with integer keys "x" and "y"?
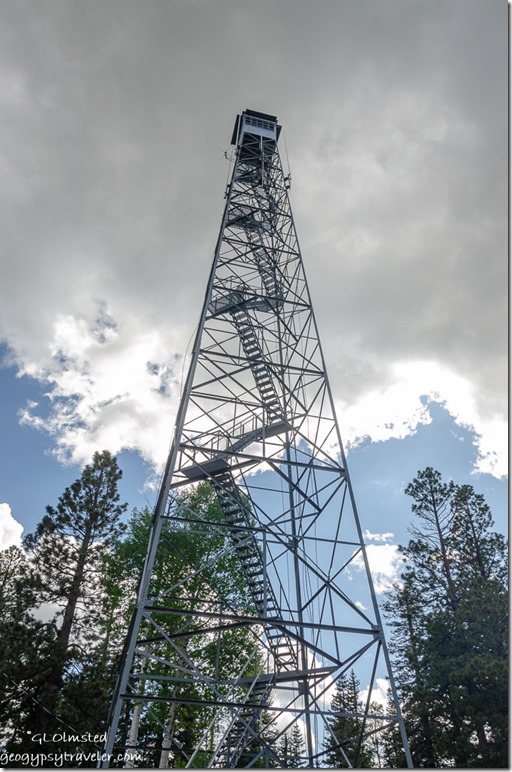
{"x": 450, "y": 633}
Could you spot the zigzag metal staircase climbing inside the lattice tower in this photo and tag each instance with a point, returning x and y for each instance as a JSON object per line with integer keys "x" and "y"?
{"x": 244, "y": 726}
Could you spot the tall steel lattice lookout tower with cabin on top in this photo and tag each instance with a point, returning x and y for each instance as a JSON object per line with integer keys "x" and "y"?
{"x": 281, "y": 567}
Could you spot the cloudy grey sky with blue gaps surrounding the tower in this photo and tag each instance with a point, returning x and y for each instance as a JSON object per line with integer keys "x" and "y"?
{"x": 115, "y": 118}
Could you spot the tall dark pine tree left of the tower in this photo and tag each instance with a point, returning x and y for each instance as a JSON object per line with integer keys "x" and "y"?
{"x": 64, "y": 554}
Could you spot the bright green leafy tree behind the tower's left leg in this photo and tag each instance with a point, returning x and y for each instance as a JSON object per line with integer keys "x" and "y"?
{"x": 196, "y": 572}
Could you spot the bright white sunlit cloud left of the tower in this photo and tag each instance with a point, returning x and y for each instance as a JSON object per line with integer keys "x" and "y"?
{"x": 107, "y": 388}
